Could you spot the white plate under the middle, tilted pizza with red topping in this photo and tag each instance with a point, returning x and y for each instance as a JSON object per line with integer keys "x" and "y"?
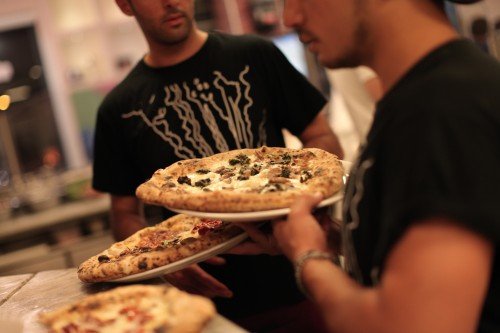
{"x": 183, "y": 263}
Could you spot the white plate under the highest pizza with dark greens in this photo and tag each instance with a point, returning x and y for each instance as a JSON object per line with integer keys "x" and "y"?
{"x": 254, "y": 216}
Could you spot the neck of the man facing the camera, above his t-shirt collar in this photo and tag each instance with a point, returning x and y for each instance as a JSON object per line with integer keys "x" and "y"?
{"x": 161, "y": 55}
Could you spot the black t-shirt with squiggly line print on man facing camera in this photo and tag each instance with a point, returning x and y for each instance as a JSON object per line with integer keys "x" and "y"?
{"x": 236, "y": 92}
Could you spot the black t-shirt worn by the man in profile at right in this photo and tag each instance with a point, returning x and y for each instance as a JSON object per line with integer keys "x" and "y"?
{"x": 433, "y": 151}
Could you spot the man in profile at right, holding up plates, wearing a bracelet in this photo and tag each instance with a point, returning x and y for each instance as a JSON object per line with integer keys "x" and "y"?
{"x": 421, "y": 231}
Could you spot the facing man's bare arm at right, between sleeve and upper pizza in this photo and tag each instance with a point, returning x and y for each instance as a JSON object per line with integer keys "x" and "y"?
{"x": 319, "y": 134}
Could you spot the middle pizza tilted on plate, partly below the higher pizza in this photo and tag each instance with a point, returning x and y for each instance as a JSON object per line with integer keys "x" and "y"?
{"x": 179, "y": 237}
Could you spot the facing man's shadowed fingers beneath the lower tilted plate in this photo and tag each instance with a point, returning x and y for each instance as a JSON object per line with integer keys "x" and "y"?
{"x": 196, "y": 281}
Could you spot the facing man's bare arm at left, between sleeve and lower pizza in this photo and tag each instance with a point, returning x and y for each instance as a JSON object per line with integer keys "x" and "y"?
{"x": 126, "y": 216}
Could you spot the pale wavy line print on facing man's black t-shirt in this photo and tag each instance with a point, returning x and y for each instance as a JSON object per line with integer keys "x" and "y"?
{"x": 224, "y": 102}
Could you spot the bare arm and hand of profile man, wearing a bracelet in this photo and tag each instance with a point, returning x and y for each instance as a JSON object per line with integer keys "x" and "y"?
{"x": 435, "y": 278}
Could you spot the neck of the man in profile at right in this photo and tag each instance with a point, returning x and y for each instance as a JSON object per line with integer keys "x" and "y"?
{"x": 395, "y": 54}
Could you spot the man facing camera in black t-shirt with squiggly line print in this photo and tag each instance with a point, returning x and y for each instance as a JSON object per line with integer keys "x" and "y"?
{"x": 193, "y": 95}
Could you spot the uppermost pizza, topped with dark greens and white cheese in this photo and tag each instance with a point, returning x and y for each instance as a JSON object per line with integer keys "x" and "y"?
{"x": 244, "y": 180}
